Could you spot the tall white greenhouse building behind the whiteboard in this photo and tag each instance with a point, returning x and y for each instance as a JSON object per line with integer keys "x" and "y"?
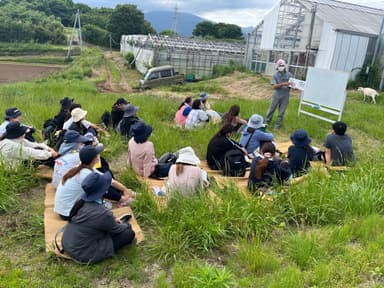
{"x": 323, "y": 33}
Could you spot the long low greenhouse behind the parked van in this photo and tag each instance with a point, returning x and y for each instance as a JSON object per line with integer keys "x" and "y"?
{"x": 193, "y": 57}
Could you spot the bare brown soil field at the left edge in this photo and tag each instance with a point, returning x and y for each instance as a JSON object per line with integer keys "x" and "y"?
{"x": 10, "y": 73}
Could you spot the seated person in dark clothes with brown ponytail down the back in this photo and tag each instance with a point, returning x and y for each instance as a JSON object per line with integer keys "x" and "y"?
{"x": 266, "y": 170}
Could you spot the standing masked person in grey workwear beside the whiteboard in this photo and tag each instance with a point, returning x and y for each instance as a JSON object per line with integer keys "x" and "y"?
{"x": 280, "y": 97}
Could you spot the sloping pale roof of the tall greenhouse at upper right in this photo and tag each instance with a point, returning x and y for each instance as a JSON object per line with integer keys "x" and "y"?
{"x": 347, "y": 17}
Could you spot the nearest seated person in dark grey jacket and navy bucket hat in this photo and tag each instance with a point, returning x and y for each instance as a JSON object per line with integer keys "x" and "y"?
{"x": 93, "y": 233}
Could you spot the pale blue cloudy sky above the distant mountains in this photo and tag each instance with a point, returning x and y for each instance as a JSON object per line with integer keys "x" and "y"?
{"x": 240, "y": 12}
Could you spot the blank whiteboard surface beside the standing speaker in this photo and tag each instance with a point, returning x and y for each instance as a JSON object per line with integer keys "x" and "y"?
{"x": 326, "y": 87}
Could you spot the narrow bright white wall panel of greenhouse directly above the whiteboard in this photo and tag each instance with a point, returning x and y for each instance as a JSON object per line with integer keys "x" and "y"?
{"x": 326, "y": 48}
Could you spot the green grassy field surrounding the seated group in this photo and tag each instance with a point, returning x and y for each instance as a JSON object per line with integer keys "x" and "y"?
{"x": 324, "y": 232}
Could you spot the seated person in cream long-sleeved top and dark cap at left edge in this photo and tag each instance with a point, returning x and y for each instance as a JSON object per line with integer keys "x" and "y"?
{"x": 15, "y": 149}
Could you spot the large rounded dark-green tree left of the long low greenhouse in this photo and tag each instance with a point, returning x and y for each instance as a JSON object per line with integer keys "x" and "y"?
{"x": 127, "y": 19}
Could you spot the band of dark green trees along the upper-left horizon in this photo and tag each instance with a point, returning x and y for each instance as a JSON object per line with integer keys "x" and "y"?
{"x": 44, "y": 21}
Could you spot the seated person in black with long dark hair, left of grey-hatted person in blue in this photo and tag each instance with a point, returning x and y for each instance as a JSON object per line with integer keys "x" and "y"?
{"x": 219, "y": 145}
